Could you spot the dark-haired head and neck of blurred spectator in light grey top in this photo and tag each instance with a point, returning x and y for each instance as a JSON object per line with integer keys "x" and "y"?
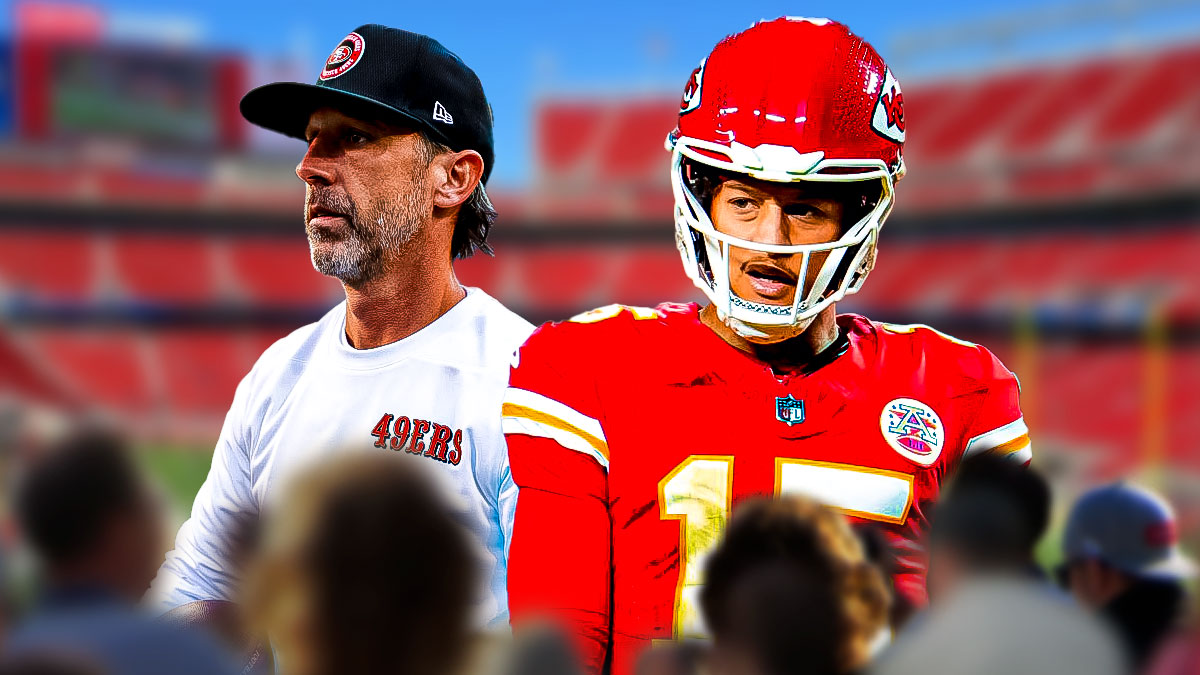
{"x": 987, "y": 524}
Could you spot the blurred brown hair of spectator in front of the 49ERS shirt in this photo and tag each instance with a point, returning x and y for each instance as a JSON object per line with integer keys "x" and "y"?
{"x": 391, "y": 574}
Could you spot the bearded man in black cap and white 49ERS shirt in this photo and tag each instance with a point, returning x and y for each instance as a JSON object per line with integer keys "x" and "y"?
{"x": 415, "y": 365}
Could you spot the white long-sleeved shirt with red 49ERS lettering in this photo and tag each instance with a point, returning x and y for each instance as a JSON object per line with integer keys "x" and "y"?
{"x": 313, "y": 395}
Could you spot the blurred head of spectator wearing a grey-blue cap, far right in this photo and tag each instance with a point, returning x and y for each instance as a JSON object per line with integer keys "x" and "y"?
{"x": 1123, "y": 560}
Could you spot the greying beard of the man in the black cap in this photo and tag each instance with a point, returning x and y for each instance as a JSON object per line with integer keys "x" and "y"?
{"x": 362, "y": 256}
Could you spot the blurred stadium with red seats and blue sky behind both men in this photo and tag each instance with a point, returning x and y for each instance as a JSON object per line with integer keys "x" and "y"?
{"x": 152, "y": 242}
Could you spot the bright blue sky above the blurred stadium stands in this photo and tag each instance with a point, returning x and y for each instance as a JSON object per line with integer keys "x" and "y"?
{"x": 529, "y": 50}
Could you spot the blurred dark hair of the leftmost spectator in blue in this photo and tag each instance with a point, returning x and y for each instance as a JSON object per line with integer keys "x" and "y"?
{"x": 71, "y": 493}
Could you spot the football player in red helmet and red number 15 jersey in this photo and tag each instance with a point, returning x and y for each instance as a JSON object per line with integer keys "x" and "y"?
{"x": 633, "y": 433}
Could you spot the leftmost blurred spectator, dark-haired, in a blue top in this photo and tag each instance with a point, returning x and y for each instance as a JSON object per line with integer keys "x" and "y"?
{"x": 93, "y": 525}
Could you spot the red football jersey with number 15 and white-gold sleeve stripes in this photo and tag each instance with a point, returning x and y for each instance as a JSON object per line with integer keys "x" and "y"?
{"x": 633, "y": 433}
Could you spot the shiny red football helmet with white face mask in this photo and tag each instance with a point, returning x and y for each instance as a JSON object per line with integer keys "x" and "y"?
{"x": 788, "y": 100}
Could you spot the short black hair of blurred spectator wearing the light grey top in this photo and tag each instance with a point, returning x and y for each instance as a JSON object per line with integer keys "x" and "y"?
{"x": 993, "y": 513}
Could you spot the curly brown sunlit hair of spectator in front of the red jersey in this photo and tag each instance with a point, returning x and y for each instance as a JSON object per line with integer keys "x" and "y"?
{"x": 791, "y": 584}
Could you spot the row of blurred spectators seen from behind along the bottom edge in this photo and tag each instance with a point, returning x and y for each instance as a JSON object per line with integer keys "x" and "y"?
{"x": 364, "y": 569}
